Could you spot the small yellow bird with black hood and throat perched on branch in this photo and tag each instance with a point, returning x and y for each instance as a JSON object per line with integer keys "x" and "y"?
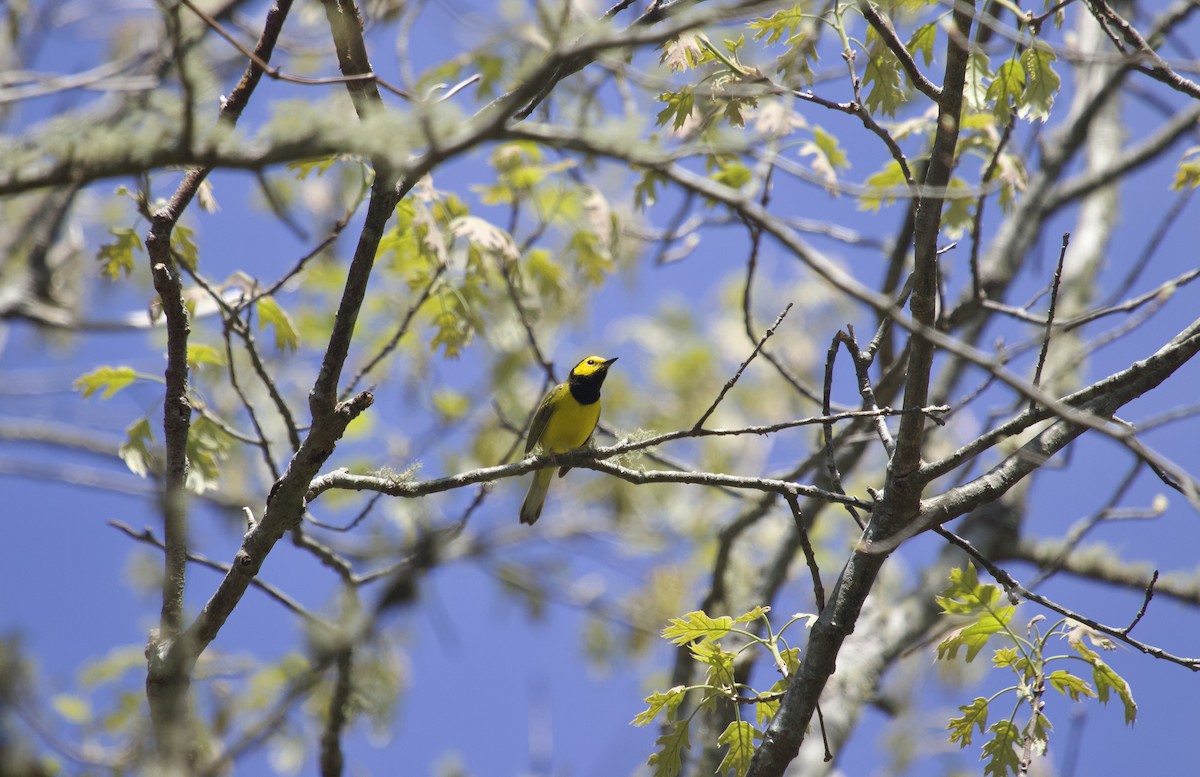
{"x": 565, "y": 421}
